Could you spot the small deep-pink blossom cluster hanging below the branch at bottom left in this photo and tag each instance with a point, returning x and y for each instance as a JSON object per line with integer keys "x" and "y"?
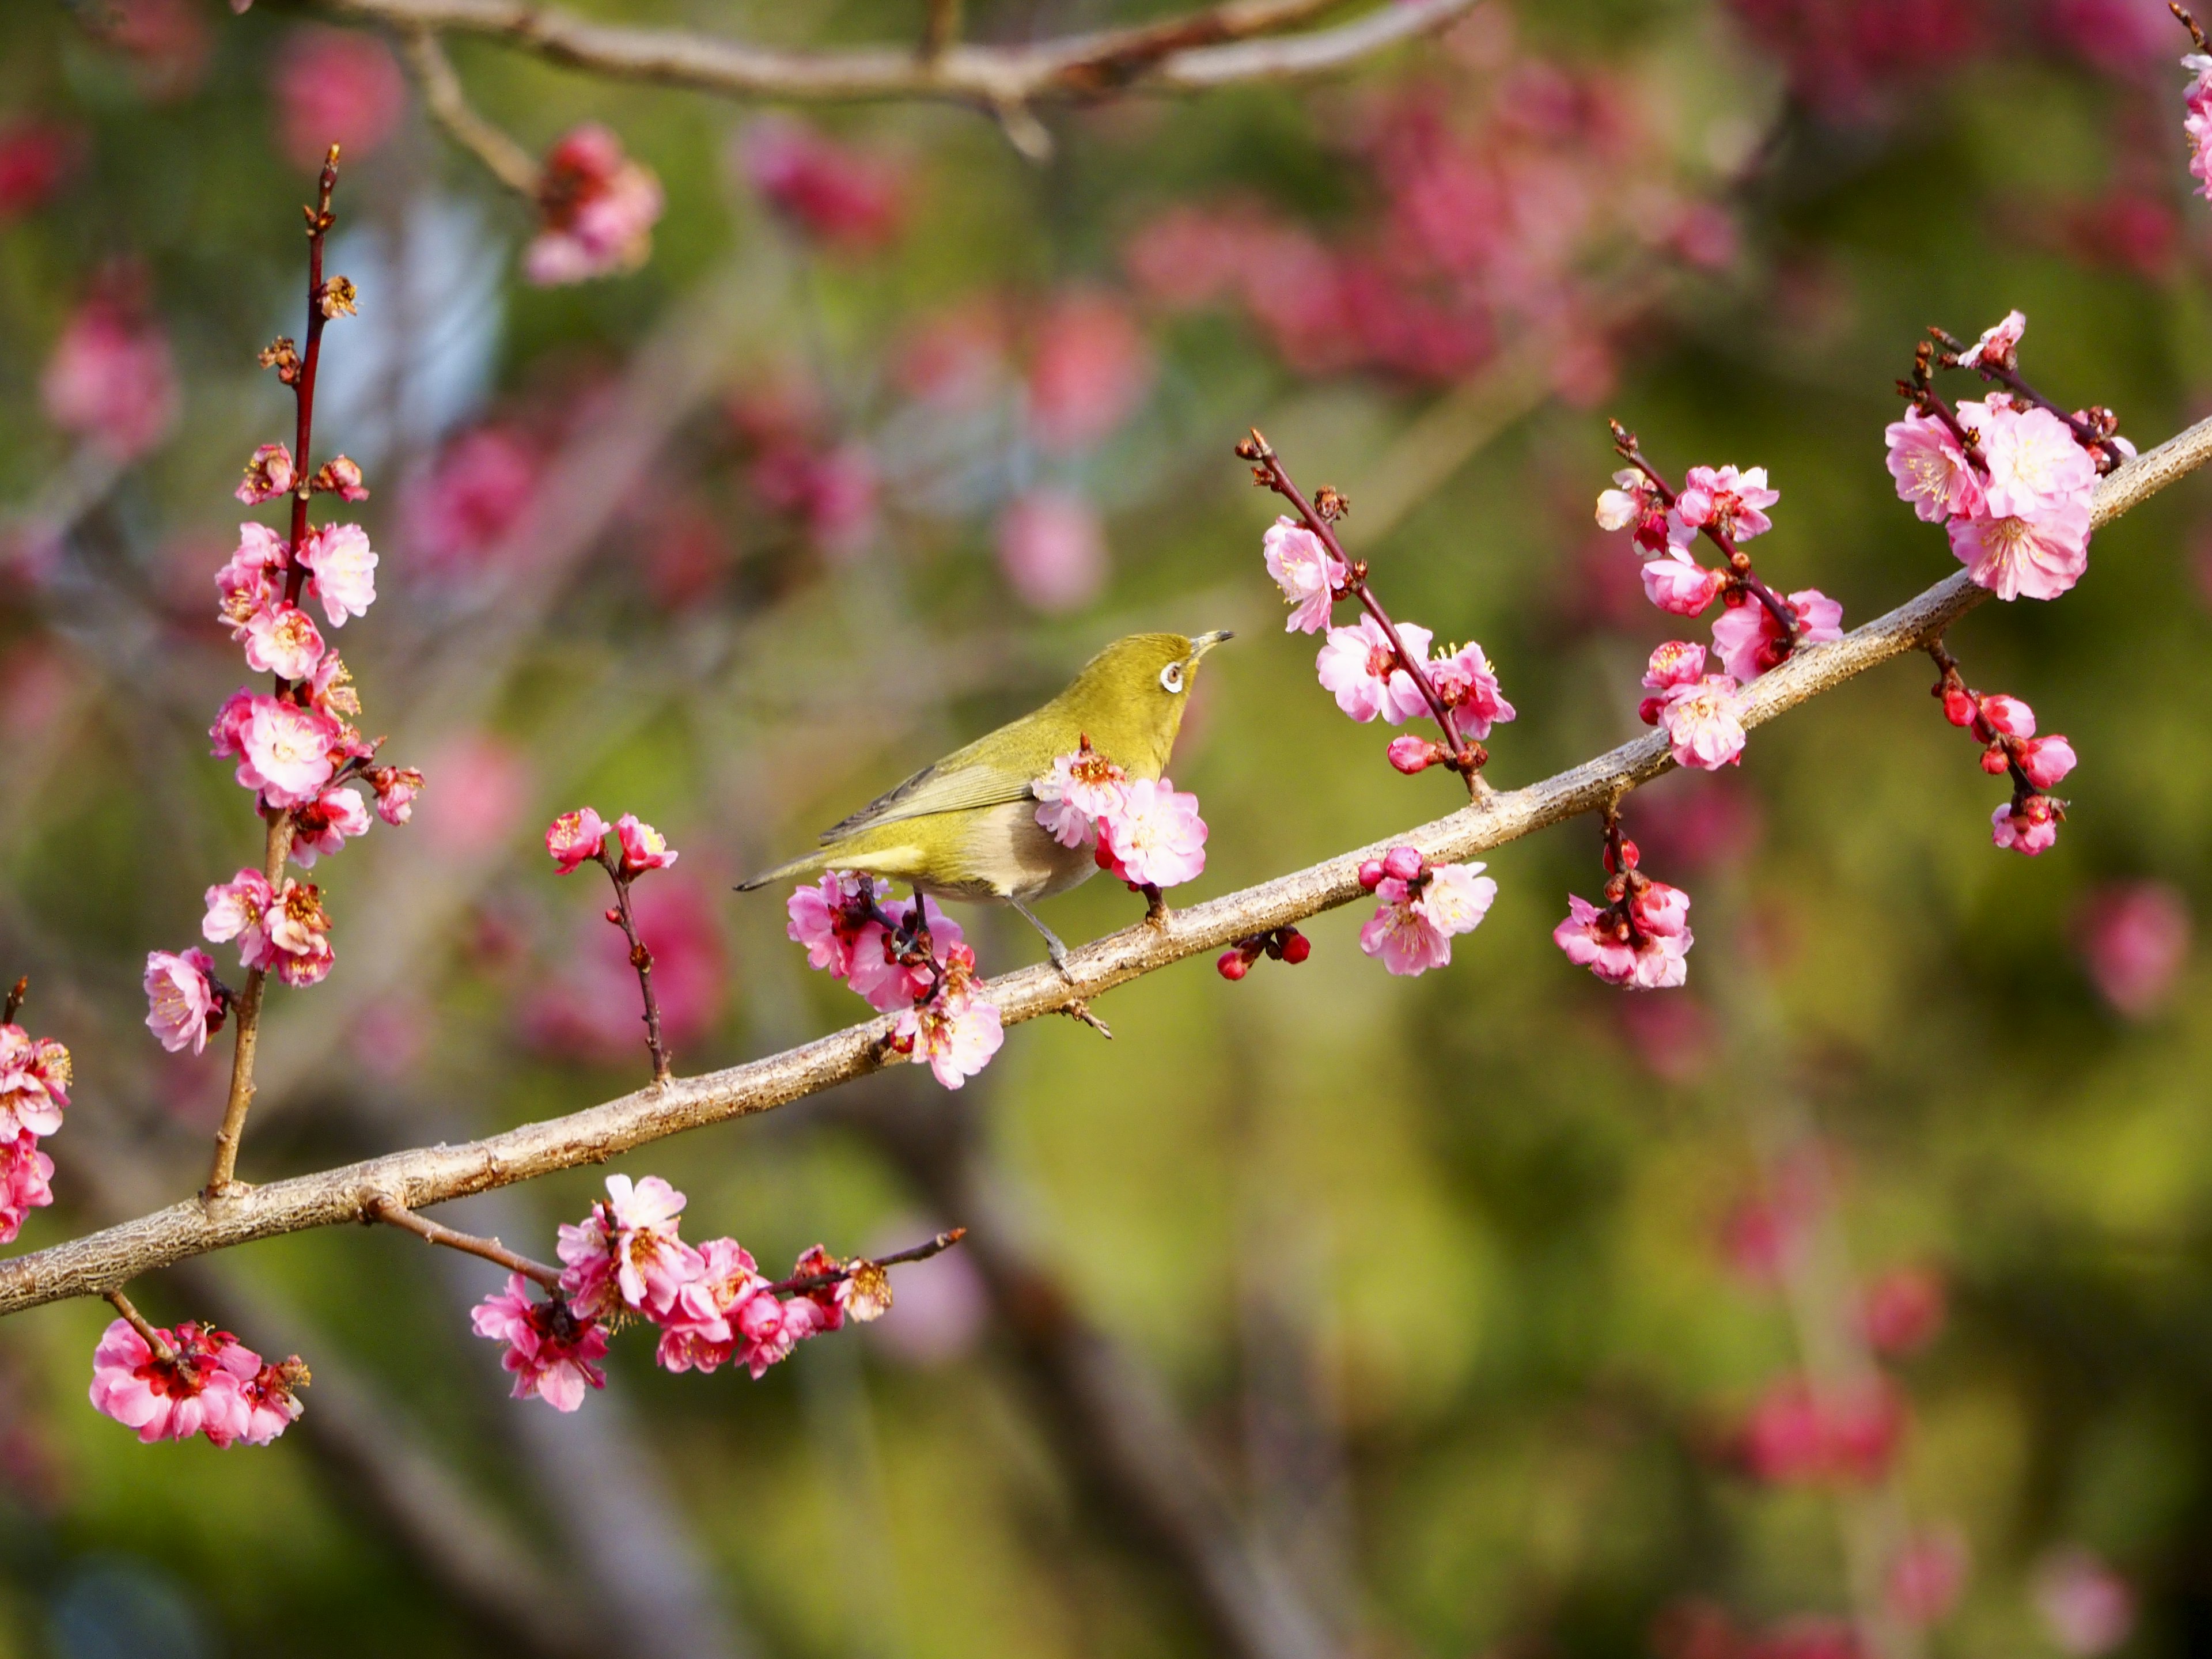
{"x": 194, "y": 1381}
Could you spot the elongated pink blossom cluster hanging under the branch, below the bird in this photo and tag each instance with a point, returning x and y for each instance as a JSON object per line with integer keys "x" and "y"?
{"x": 711, "y": 1304}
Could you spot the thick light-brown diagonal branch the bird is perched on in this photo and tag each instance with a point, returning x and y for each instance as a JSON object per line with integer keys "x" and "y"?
{"x": 428, "y": 1176}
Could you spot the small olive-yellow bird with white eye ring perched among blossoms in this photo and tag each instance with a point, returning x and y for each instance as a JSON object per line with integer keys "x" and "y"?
{"x": 968, "y": 826}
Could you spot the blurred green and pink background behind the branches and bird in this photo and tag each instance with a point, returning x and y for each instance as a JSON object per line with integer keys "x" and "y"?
{"x": 1855, "y": 1300}
